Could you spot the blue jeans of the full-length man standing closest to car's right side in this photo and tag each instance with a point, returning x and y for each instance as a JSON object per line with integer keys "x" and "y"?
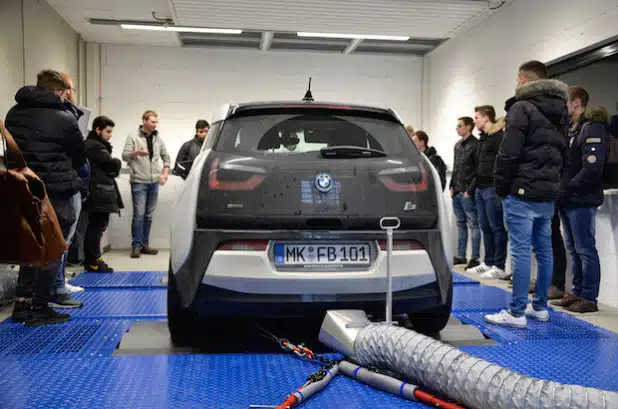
{"x": 467, "y": 218}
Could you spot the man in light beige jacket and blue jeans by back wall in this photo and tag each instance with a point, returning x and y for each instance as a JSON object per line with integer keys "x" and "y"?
{"x": 149, "y": 165}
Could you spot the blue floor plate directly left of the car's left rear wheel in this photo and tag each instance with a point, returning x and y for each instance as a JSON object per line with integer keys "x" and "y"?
{"x": 142, "y": 303}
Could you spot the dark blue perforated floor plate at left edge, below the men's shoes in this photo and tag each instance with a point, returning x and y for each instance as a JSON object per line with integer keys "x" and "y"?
{"x": 71, "y": 339}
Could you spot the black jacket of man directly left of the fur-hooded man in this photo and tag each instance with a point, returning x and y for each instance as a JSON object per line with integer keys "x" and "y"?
{"x": 488, "y": 146}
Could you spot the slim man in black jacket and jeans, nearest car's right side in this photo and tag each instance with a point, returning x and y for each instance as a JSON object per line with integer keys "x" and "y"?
{"x": 462, "y": 193}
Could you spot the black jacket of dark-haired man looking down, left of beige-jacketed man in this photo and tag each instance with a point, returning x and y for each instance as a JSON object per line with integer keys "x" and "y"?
{"x": 104, "y": 194}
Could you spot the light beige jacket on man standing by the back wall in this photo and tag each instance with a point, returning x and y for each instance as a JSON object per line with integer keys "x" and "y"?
{"x": 141, "y": 168}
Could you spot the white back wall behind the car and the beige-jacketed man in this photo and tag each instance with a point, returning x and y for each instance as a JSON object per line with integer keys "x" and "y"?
{"x": 185, "y": 84}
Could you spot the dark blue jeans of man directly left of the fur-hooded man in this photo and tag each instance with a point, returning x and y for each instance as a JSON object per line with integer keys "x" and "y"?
{"x": 489, "y": 208}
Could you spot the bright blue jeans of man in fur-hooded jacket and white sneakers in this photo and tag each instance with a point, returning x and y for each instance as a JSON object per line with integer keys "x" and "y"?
{"x": 529, "y": 226}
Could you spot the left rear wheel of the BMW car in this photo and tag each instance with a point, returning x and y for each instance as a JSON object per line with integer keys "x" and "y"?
{"x": 181, "y": 321}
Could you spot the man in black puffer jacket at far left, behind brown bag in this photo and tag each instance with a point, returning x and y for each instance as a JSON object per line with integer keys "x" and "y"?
{"x": 53, "y": 147}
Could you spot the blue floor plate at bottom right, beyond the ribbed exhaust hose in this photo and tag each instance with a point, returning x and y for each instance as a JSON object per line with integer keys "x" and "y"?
{"x": 578, "y": 362}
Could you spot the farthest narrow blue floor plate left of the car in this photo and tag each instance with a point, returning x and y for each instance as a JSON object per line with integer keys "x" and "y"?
{"x": 120, "y": 279}
